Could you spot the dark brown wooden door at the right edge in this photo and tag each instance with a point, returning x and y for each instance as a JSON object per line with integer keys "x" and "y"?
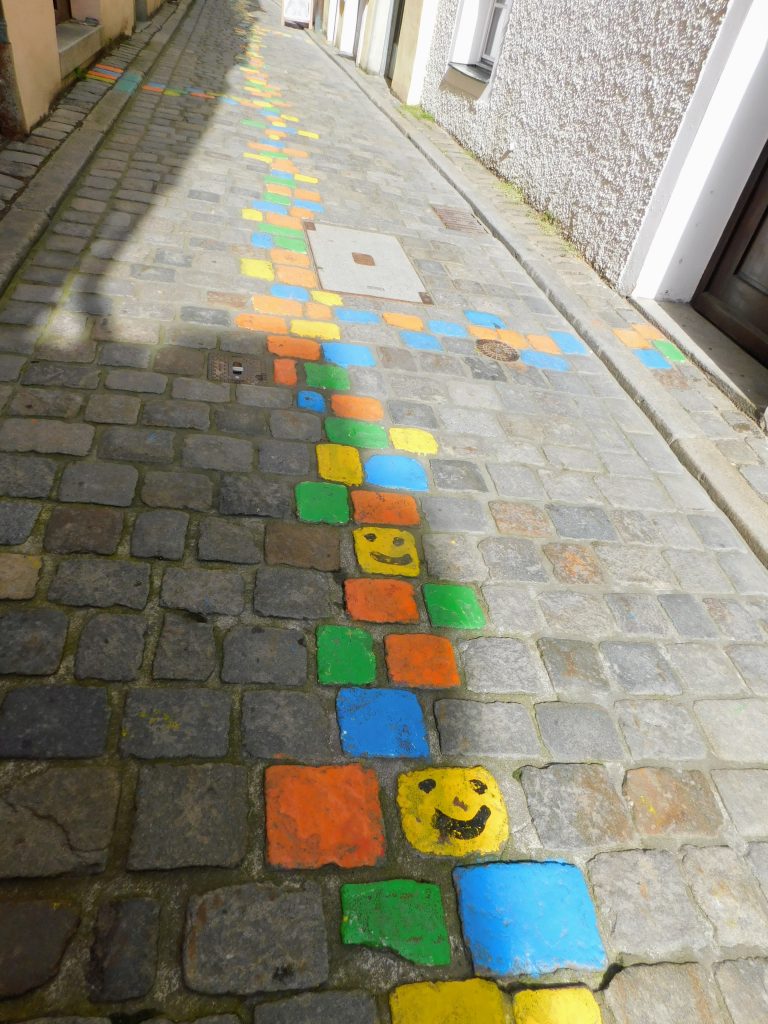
{"x": 734, "y": 292}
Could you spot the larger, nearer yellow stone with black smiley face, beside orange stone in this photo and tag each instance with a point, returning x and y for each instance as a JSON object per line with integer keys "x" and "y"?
{"x": 453, "y": 812}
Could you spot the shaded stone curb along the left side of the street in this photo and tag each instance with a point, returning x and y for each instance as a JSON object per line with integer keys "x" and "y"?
{"x": 31, "y": 214}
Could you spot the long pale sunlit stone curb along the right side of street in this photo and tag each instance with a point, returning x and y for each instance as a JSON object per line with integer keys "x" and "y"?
{"x": 724, "y": 485}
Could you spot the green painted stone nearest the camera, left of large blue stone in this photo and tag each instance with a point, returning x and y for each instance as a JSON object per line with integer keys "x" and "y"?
{"x": 404, "y": 916}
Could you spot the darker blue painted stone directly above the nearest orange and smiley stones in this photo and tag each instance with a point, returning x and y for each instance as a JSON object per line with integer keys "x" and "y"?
{"x": 381, "y": 724}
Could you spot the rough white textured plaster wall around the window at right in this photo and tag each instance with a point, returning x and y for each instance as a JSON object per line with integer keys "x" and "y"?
{"x": 585, "y": 103}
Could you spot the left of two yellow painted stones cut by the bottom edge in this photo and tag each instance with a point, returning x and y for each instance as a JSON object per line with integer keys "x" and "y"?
{"x": 474, "y": 1002}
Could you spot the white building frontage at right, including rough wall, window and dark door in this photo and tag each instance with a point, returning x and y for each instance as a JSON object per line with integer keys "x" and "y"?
{"x": 642, "y": 127}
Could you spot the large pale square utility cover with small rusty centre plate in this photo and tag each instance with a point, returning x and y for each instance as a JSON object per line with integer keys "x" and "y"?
{"x": 364, "y": 264}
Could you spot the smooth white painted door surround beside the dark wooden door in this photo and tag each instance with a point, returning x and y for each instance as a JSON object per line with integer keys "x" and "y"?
{"x": 720, "y": 140}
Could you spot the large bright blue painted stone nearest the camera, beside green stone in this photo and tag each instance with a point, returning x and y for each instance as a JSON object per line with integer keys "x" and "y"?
{"x": 529, "y": 919}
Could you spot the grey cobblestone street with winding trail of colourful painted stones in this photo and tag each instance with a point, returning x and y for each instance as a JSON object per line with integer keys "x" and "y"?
{"x": 367, "y": 657}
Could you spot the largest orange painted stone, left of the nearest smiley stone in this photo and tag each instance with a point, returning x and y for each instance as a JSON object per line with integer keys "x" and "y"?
{"x": 326, "y": 816}
